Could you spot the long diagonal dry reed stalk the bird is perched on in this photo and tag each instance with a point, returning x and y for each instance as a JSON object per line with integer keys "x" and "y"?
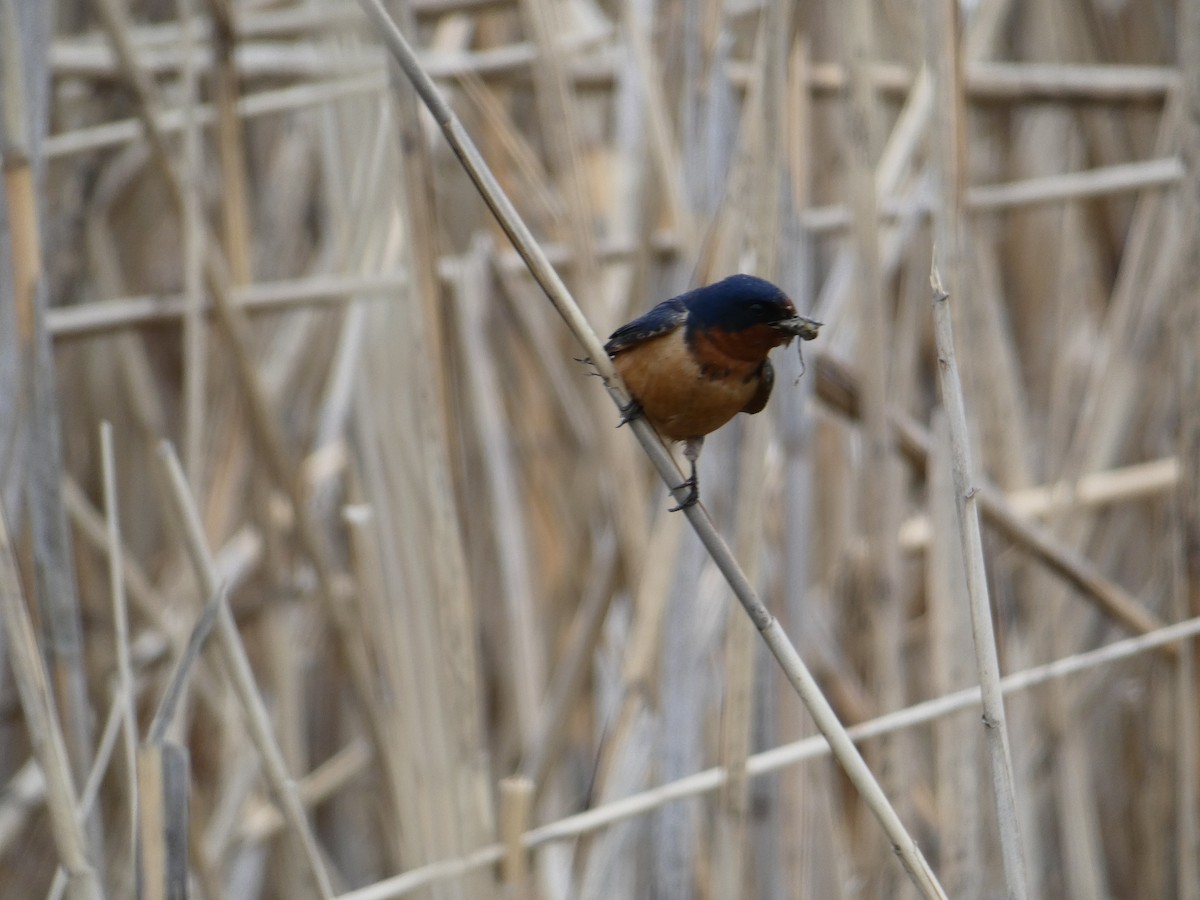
{"x": 772, "y": 632}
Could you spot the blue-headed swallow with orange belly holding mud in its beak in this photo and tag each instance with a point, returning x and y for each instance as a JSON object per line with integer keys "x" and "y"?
{"x": 697, "y": 361}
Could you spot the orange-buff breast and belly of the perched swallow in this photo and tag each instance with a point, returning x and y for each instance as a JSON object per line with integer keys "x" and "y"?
{"x": 688, "y": 392}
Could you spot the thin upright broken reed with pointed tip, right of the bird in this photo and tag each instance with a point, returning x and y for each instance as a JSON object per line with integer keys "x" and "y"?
{"x": 968, "y": 502}
